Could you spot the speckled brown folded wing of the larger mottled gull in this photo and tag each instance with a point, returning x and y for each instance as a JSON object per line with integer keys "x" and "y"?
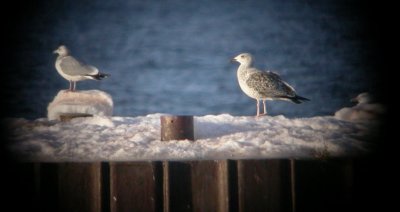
{"x": 270, "y": 84}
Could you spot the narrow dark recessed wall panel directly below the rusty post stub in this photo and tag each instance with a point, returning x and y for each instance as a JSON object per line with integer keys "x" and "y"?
{"x": 177, "y": 186}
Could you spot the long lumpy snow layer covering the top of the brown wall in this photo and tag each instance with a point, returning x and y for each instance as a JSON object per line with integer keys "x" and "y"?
{"x": 102, "y": 138}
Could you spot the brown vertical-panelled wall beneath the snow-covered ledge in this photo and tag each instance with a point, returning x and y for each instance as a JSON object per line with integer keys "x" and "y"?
{"x": 222, "y": 185}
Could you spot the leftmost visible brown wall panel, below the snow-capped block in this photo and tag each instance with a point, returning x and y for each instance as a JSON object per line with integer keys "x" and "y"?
{"x": 79, "y": 186}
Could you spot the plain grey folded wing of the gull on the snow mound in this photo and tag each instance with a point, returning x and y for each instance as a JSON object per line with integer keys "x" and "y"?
{"x": 73, "y": 67}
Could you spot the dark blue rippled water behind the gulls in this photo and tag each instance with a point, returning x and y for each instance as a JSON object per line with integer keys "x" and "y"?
{"x": 174, "y": 56}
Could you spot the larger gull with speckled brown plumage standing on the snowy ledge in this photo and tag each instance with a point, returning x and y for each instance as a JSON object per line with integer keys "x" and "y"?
{"x": 261, "y": 85}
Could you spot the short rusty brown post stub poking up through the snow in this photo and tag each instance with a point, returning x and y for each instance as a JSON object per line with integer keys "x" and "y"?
{"x": 176, "y": 128}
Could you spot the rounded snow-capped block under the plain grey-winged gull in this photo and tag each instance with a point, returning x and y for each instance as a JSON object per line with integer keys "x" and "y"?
{"x": 92, "y": 102}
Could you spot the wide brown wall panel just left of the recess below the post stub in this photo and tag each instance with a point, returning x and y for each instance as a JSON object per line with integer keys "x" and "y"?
{"x": 135, "y": 186}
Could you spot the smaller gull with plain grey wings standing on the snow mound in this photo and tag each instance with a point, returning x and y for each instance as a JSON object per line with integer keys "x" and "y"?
{"x": 73, "y": 70}
